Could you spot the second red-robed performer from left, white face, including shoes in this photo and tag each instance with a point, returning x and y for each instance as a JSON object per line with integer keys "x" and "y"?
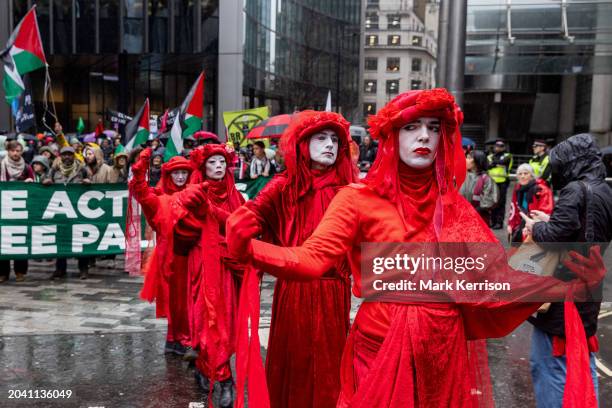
{"x": 213, "y": 275}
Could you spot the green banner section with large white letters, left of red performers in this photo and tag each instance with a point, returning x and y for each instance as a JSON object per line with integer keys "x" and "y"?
{"x": 39, "y": 221}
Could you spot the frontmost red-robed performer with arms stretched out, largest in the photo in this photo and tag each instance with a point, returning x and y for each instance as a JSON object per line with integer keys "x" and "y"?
{"x": 407, "y": 355}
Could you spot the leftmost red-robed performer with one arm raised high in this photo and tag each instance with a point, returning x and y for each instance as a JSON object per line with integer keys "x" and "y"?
{"x": 165, "y": 272}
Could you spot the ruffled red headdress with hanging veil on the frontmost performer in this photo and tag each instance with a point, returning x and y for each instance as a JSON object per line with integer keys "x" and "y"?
{"x": 403, "y": 109}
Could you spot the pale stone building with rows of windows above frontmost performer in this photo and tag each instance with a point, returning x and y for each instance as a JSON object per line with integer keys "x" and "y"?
{"x": 399, "y": 50}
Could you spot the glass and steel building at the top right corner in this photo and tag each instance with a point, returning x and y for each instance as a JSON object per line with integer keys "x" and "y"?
{"x": 538, "y": 69}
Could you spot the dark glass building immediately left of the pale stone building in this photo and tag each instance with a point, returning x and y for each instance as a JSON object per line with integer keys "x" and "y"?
{"x": 295, "y": 51}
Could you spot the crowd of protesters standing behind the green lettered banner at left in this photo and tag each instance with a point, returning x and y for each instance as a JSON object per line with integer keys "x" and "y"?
{"x": 58, "y": 159}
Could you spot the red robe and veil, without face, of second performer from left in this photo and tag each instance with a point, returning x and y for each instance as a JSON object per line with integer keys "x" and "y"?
{"x": 213, "y": 289}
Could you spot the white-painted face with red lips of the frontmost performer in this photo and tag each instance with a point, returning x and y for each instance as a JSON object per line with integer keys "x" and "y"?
{"x": 418, "y": 142}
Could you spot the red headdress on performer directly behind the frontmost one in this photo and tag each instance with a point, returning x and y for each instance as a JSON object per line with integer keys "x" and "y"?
{"x": 294, "y": 145}
